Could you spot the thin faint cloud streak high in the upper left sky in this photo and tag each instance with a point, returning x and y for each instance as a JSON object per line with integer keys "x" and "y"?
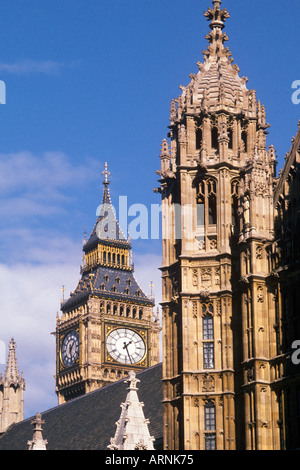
{"x": 27, "y": 66}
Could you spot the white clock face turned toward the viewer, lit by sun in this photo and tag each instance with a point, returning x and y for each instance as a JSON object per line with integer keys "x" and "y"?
{"x": 125, "y": 346}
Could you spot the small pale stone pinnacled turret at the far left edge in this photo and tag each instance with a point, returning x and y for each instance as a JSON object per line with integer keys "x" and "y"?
{"x": 12, "y": 388}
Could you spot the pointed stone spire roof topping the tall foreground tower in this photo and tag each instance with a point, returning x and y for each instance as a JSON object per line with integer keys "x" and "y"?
{"x": 217, "y": 86}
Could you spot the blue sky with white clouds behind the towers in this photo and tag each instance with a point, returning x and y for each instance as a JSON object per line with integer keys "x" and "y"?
{"x": 90, "y": 81}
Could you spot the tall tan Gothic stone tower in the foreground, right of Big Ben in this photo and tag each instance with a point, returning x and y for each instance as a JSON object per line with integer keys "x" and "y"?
{"x": 217, "y": 182}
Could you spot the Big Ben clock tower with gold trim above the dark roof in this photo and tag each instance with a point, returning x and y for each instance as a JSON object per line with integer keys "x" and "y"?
{"x": 107, "y": 326}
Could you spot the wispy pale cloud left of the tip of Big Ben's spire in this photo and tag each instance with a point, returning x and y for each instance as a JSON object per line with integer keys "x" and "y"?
{"x": 34, "y": 185}
